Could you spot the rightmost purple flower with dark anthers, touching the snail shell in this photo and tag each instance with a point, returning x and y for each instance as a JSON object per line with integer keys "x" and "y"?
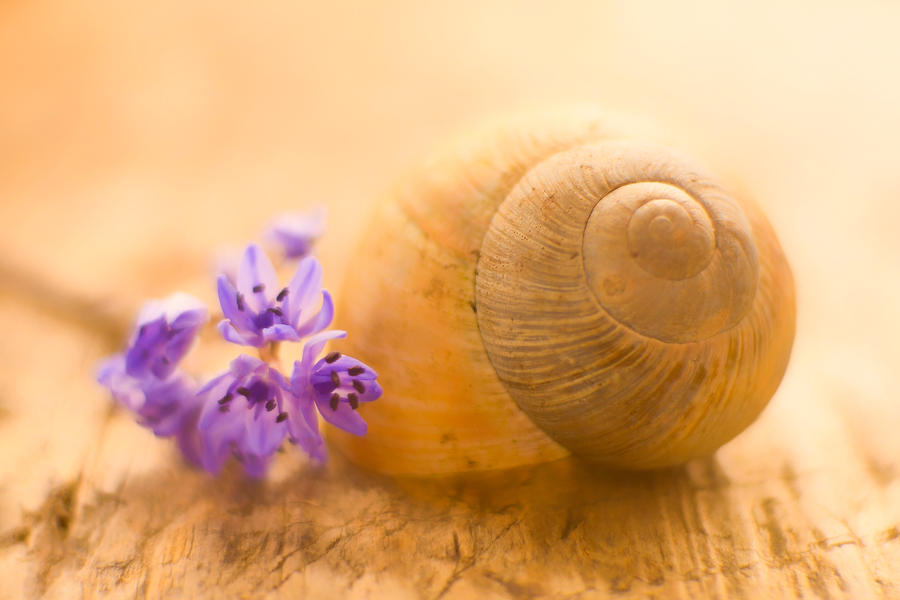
{"x": 336, "y": 384}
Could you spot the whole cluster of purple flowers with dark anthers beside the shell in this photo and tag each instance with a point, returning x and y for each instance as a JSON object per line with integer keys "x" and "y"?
{"x": 247, "y": 411}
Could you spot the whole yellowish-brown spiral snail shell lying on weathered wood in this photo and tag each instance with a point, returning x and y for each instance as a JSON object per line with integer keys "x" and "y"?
{"x": 553, "y": 286}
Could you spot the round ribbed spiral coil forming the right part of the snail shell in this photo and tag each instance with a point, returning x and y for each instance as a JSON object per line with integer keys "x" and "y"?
{"x": 617, "y": 290}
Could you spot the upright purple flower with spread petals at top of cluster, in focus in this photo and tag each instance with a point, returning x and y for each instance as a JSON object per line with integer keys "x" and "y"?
{"x": 257, "y": 311}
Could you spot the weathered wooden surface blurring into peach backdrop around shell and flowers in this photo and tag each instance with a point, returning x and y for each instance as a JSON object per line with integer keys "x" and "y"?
{"x": 137, "y": 142}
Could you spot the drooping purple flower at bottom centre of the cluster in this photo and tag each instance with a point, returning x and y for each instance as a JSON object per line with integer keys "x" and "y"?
{"x": 244, "y": 414}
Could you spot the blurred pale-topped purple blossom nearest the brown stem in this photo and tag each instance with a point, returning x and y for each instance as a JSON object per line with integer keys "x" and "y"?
{"x": 164, "y": 332}
